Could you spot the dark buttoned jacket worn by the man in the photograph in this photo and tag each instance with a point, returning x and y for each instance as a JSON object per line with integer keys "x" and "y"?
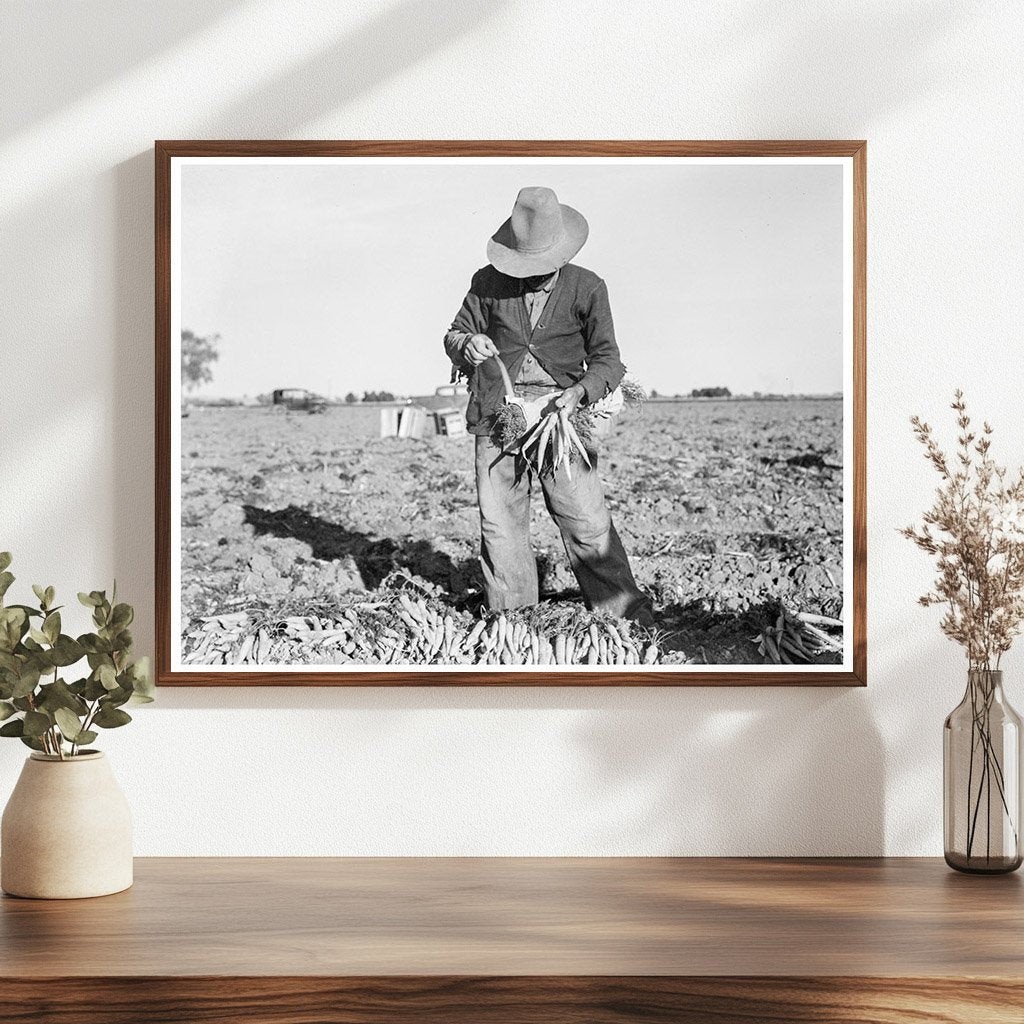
{"x": 574, "y": 342}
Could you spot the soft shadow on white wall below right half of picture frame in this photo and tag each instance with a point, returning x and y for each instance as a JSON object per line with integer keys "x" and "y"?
{"x": 728, "y": 772}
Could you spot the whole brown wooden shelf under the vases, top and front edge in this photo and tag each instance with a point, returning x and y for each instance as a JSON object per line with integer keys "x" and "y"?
{"x": 355, "y": 941}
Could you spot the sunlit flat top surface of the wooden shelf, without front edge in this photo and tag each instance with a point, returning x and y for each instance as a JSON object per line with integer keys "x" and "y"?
{"x": 496, "y": 917}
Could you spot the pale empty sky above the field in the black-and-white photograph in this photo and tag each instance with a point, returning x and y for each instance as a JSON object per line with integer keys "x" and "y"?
{"x": 345, "y": 278}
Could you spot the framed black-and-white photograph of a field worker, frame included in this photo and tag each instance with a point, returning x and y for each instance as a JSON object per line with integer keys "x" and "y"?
{"x": 503, "y": 413}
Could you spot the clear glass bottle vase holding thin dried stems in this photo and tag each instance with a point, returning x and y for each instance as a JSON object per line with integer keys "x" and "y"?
{"x": 982, "y": 774}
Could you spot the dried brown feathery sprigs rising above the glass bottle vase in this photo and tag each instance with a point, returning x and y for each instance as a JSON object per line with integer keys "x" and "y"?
{"x": 975, "y": 531}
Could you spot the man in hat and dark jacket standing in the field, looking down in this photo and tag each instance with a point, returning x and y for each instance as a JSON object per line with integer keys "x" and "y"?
{"x": 550, "y": 323}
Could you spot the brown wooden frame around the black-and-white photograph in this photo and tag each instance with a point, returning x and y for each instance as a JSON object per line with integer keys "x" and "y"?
{"x": 165, "y": 151}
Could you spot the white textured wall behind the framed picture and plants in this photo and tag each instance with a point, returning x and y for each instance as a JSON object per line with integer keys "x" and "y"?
{"x": 936, "y": 88}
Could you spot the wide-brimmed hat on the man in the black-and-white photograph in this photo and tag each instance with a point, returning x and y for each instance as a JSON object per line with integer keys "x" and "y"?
{"x": 541, "y": 236}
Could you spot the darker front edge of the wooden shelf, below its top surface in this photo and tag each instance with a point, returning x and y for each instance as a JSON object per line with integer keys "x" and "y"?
{"x": 511, "y": 1001}
